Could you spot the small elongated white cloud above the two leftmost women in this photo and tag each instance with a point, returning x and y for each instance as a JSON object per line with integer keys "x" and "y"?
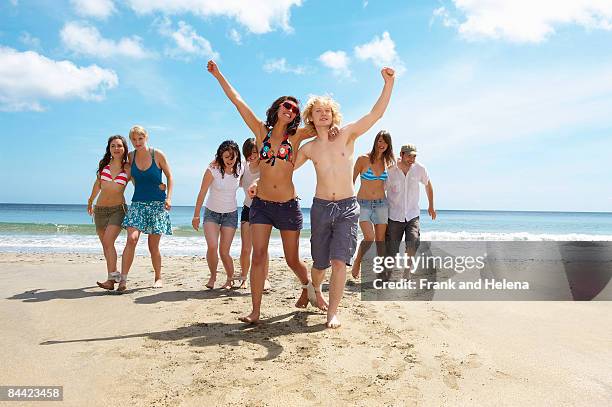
{"x": 86, "y": 39}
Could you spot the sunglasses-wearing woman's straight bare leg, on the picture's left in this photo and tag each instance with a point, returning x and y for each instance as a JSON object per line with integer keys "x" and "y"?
{"x": 260, "y": 235}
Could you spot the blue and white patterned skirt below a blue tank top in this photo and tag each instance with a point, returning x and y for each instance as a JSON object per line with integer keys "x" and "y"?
{"x": 149, "y": 217}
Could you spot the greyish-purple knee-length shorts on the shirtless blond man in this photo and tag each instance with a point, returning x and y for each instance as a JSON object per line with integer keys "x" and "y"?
{"x": 334, "y": 231}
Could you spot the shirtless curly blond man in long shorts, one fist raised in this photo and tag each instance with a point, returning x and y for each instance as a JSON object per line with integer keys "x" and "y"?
{"x": 334, "y": 213}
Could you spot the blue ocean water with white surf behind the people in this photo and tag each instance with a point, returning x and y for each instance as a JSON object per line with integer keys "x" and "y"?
{"x": 44, "y": 228}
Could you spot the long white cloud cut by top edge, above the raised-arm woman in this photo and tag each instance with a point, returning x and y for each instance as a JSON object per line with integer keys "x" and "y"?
{"x": 258, "y": 16}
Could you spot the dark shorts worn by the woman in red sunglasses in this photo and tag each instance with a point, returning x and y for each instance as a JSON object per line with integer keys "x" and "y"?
{"x": 281, "y": 215}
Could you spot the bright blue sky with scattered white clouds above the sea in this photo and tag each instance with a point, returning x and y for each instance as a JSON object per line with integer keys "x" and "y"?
{"x": 509, "y": 102}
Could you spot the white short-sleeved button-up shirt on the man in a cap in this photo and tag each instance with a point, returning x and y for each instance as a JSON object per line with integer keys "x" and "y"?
{"x": 403, "y": 191}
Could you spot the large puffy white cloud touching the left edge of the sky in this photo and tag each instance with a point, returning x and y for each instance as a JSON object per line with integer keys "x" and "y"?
{"x": 26, "y": 78}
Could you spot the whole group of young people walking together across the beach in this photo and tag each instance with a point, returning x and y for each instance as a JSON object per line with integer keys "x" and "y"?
{"x": 266, "y": 175}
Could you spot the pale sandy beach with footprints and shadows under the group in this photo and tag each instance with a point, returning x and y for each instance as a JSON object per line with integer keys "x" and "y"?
{"x": 182, "y": 345}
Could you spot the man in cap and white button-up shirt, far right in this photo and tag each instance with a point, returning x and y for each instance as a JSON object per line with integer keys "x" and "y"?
{"x": 403, "y": 197}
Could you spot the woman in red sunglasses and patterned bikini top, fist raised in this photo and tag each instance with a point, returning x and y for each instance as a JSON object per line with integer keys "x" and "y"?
{"x": 275, "y": 204}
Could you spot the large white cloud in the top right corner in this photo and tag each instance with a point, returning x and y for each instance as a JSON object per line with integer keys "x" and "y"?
{"x": 526, "y": 20}
